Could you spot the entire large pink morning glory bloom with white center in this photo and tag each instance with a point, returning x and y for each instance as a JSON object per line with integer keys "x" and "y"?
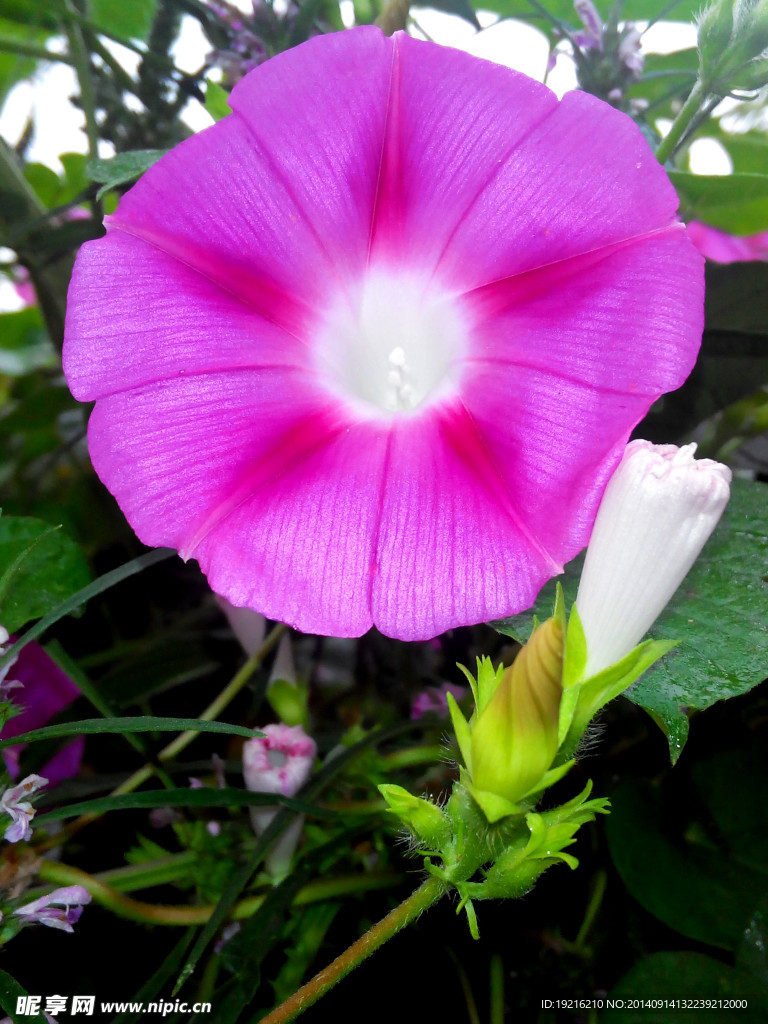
{"x": 370, "y": 349}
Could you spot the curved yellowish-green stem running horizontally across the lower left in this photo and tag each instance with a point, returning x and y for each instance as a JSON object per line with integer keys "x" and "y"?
{"x": 185, "y": 916}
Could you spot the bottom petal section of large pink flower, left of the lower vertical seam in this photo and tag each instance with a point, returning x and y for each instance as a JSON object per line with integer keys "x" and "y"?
{"x": 302, "y": 548}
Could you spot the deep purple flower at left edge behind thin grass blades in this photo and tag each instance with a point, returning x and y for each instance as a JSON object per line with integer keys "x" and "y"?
{"x": 47, "y": 692}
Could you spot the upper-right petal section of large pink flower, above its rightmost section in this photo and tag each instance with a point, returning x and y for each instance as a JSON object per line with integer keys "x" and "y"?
{"x": 583, "y": 179}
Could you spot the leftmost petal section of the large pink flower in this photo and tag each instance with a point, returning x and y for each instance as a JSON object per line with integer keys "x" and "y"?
{"x": 183, "y": 325}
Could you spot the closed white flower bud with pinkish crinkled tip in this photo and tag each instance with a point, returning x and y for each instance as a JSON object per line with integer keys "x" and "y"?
{"x": 659, "y": 510}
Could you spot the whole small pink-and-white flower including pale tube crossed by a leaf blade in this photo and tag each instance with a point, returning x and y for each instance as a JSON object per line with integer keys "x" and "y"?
{"x": 279, "y": 762}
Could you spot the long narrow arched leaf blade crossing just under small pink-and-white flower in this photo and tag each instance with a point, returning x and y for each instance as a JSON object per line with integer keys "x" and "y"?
{"x": 182, "y": 798}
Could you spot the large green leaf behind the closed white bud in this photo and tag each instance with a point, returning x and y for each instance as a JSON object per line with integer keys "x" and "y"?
{"x": 719, "y": 616}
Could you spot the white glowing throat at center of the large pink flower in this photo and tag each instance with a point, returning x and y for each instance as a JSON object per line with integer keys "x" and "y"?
{"x": 392, "y": 345}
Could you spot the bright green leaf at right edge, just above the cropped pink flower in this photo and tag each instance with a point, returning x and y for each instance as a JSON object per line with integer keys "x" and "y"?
{"x": 735, "y": 203}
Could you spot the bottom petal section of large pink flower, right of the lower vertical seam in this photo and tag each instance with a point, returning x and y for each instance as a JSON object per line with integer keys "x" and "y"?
{"x": 453, "y": 549}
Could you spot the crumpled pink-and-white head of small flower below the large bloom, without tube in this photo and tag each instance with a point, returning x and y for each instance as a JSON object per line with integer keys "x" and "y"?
{"x": 280, "y": 762}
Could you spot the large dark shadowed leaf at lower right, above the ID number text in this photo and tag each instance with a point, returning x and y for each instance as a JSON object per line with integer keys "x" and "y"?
{"x": 695, "y": 889}
